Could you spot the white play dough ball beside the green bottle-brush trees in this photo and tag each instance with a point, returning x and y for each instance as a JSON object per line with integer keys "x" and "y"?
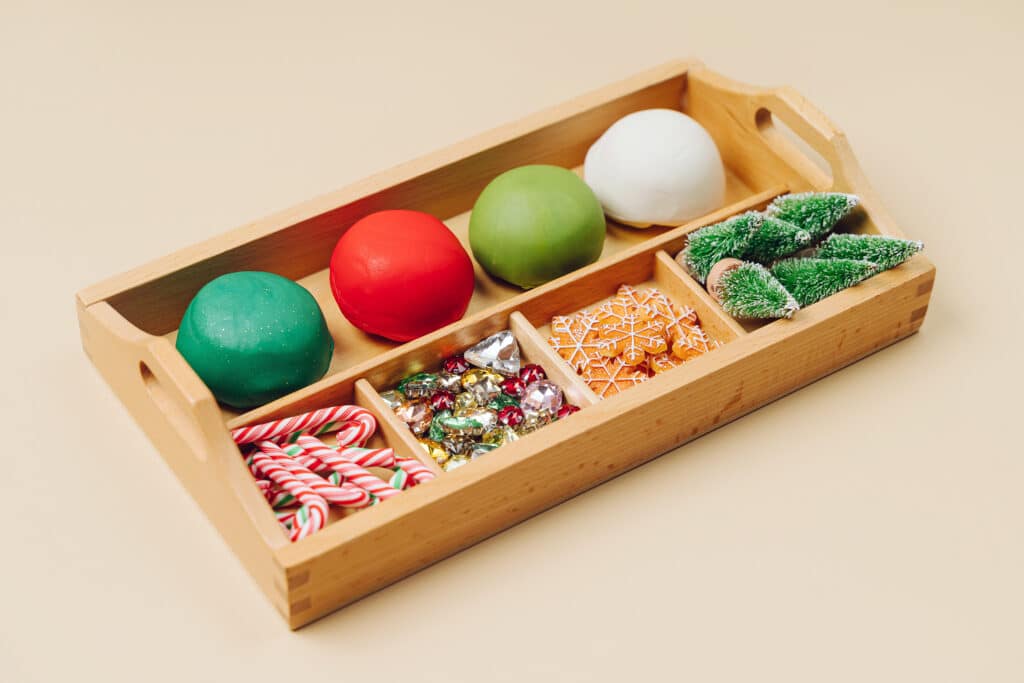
{"x": 656, "y": 167}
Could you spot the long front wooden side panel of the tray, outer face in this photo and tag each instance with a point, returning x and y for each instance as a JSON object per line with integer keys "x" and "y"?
{"x": 474, "y": 503}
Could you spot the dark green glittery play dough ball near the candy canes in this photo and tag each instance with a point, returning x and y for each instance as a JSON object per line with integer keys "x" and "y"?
{"x": 253, "y": 337}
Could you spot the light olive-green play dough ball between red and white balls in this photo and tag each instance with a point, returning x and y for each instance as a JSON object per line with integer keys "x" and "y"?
{"x": 535, "y": 224}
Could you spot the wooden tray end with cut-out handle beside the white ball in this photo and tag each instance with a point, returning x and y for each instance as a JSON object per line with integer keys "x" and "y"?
{"x": 754, "y": 109}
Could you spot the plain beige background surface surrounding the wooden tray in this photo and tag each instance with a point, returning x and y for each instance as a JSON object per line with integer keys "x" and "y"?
{"x": 869, "y": 528}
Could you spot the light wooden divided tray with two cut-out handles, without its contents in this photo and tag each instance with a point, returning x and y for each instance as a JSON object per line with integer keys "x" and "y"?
{"x": 129, "y": 326}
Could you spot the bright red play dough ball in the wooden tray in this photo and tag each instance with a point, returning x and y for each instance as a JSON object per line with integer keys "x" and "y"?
{"x": 401, "y": 275}
